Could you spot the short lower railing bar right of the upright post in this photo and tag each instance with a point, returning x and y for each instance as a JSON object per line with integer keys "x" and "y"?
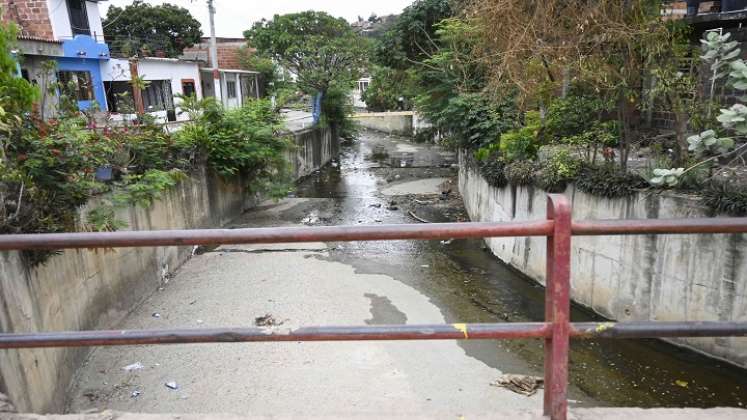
{"x": 650, "y": 329}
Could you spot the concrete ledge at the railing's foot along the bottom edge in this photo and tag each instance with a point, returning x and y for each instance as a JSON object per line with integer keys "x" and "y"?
{"x": 577, "y": 414}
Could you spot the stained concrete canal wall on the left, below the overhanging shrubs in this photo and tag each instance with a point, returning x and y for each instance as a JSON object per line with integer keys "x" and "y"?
{"x": 95, "y": 289}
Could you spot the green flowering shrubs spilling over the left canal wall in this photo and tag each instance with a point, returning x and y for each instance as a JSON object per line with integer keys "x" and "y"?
{"x": 49, "y": 169}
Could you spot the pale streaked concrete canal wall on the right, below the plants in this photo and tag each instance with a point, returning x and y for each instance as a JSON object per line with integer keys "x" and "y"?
{"x": 629, "y": 278}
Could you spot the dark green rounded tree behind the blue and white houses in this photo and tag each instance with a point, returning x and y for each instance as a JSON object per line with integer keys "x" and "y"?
{"x": 144, "y": 28}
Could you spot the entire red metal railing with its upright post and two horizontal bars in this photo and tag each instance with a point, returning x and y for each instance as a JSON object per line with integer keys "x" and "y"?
{"x": 556, "y": 330}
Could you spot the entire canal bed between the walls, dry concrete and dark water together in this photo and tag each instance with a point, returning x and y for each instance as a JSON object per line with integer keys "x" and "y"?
{"x": 379, "y": 179}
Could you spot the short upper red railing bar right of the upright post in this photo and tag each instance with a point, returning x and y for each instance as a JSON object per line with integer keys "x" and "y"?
{"x": 660, "y": 226}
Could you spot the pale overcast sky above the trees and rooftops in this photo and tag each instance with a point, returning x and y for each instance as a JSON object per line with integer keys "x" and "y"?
{"x": 232, "y": 17}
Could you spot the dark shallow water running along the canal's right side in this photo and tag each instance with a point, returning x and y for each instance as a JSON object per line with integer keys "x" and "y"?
{"x": 471, "y": 285}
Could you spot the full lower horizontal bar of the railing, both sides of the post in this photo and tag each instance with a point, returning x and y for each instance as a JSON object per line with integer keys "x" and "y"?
{"x": 371, "y": 332}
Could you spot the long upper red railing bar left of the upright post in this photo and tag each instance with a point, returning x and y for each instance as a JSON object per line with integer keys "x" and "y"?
{"x": 273, "y": 235}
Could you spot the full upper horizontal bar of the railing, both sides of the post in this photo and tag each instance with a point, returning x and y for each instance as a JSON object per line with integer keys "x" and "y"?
{"x": 365, "y": 233}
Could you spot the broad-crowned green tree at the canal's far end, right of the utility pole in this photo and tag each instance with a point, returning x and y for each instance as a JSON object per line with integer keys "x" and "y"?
{"x": 323, "y": 51}
